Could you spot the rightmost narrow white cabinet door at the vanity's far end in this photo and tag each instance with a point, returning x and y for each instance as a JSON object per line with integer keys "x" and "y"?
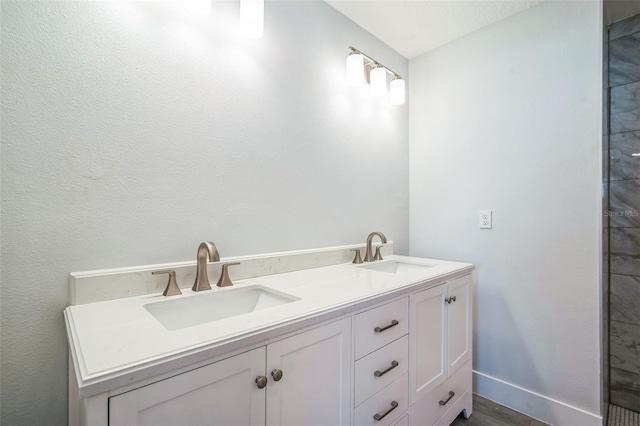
{"x": 459, "y": 323}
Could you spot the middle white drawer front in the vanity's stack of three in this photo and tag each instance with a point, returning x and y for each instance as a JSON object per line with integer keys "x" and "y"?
{"x": 380, "y": 368}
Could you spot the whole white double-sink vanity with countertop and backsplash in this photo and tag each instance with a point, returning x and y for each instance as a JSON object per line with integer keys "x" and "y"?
{"x": 300, "y": 338}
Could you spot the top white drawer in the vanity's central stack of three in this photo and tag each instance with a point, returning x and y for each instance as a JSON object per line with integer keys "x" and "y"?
{"x": 380, "y": 326}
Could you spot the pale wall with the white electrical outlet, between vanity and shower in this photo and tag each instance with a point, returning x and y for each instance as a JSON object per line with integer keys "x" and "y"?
{"x": 508, "y": 118}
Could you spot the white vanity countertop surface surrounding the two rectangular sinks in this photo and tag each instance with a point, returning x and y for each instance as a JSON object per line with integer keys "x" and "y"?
{"x": 120, "y": 339}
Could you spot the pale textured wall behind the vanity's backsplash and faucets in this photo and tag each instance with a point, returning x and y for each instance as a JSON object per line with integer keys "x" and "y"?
{"x": 132, "y": 131}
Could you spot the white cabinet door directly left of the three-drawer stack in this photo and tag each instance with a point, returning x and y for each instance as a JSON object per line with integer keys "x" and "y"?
{"x": 316, "y": 374}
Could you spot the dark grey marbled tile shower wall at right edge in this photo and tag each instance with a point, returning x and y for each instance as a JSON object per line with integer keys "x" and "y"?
{"x": 623, "y": 220}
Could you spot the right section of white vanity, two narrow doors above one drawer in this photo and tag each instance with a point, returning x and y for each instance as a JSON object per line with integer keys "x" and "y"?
{"x": 440, "y": 352}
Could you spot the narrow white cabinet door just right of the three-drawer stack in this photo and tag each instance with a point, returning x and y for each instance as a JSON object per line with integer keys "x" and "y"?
{"x": 427, "y": 341}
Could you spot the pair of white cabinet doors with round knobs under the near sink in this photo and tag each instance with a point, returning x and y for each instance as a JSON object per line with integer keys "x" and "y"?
{"x": 312, "y": 390}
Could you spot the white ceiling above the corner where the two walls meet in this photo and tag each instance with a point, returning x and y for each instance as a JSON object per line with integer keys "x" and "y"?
{"x": 413, "y": 27}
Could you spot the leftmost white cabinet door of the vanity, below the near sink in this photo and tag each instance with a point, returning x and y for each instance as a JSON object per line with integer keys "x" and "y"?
{"x": 223, "y": 393}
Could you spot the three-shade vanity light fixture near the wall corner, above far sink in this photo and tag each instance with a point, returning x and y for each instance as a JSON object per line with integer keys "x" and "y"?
{"x": 362, "y": 68}
